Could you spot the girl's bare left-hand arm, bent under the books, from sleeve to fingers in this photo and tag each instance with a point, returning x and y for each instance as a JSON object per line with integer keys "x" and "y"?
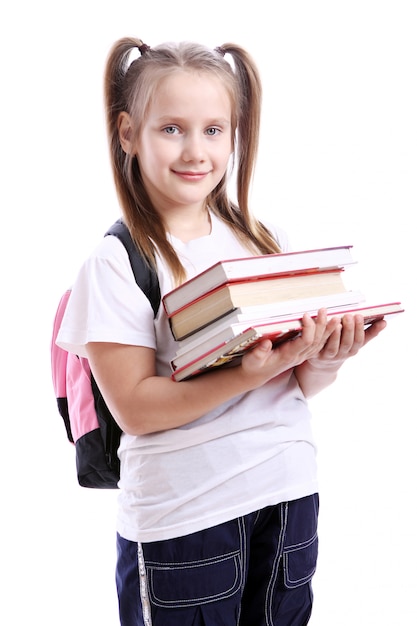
{"x": 142, "y": 402}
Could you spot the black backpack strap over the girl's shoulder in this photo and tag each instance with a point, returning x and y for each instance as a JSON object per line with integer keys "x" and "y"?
{"x": 145, "y": 275}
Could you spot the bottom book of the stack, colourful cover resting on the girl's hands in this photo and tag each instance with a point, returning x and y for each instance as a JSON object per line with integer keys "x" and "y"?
{"x": 228, "y": 347}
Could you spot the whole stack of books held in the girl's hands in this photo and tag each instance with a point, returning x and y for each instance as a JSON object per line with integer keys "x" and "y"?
{"x": 227, "y": 309}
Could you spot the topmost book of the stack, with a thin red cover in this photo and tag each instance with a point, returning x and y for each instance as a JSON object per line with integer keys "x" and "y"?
{"x": 244, "y": 268}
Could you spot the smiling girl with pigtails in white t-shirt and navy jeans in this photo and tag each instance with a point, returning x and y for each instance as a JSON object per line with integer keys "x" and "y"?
{"x": 217, "y": 521}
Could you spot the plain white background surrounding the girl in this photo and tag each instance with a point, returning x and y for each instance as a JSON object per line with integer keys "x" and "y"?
{"x": 337, "y": 165}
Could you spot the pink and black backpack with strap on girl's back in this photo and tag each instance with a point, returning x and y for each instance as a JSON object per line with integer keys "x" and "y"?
{"x": 88, "y": 422}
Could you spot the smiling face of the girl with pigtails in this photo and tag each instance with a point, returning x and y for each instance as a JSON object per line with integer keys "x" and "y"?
{"x": 185, "y": 142}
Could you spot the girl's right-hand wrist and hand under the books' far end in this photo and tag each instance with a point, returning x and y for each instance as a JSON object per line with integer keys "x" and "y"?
{"x": 346, "y": 339}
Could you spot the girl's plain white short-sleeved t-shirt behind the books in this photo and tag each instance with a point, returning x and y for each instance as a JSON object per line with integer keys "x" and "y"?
{"x": 250, "y": 452}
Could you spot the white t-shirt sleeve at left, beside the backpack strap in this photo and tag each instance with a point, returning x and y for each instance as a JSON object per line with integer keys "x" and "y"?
{"x": 106, "y": 304}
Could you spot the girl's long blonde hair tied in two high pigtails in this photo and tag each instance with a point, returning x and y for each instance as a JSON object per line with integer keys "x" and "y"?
{"x": 129, "y": 87}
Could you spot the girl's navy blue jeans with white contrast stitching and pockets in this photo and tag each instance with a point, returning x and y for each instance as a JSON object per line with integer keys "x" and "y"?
{"x": 254, "y": 570}
